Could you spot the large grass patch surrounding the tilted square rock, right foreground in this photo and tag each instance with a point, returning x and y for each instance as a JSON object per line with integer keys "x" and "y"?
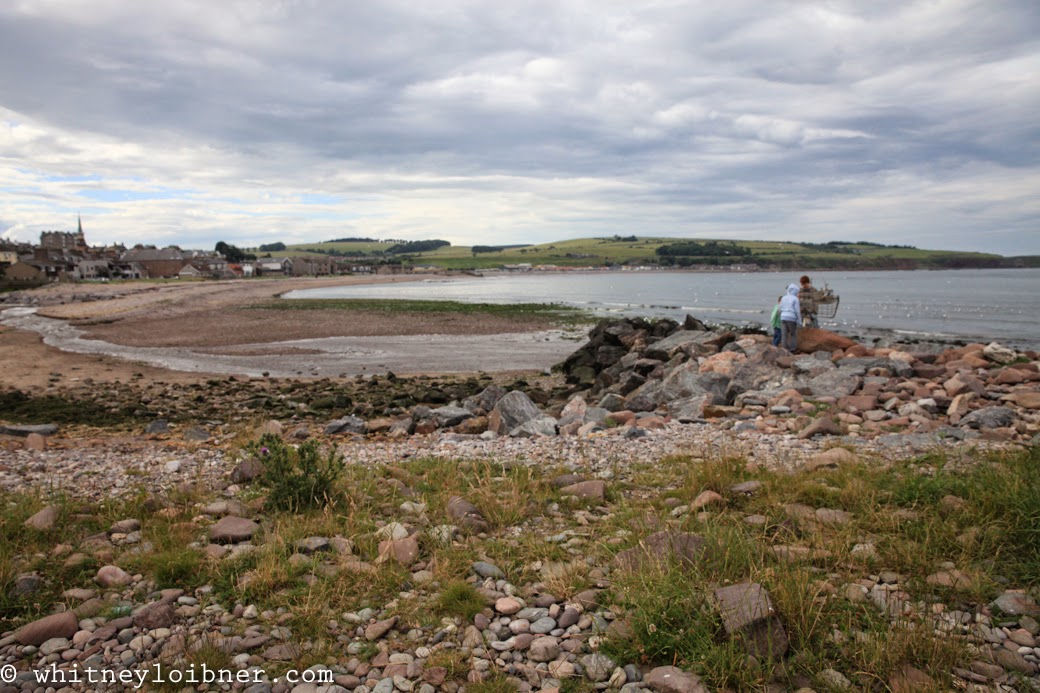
{"x": 979, "y": 515}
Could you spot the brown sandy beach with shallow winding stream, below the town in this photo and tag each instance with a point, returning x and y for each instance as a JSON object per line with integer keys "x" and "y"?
{"x": 180, "y": 332}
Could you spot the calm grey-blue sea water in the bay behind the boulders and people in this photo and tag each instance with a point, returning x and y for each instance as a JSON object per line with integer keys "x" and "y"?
{"x": 973, "y": 305}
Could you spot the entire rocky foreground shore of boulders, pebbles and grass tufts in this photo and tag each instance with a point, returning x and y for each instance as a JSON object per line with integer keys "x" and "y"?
{"x": 525, "y": 534}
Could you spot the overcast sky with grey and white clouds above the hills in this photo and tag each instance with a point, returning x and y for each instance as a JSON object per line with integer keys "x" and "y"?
{"x": 488, "y": 122}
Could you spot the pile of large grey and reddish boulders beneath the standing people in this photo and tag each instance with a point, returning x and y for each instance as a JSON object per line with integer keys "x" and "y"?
{"x": 642, "y": 375}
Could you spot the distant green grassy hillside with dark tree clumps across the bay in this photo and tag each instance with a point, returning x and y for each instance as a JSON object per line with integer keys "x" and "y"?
{"x": 644, "y": 251}
